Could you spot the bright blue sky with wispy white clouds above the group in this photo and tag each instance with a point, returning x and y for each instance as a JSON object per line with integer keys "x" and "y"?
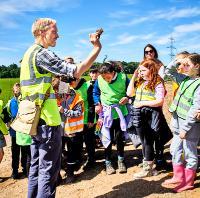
{"x": 128, "y": 24}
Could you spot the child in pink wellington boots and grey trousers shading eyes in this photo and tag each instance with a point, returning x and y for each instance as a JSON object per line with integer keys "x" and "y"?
{"x": 184, "y": 123}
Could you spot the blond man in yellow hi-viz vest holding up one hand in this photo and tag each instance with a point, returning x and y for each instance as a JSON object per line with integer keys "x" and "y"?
{"x": 37, "y": 67}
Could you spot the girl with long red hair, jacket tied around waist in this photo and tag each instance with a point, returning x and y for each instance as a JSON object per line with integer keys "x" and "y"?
{"x": 147, "y": 117}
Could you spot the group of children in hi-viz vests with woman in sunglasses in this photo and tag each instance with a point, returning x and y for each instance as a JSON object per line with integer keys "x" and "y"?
{"x": 103, "y": 100}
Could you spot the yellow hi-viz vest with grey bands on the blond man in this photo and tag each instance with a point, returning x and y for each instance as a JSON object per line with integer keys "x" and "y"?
{"x": 34, "y": 85}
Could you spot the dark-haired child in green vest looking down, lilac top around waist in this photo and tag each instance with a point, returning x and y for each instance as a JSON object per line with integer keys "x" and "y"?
{"x": 110, "y": 103}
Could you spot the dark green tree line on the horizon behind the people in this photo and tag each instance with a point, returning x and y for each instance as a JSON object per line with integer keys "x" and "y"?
{"x": 13, "y": 70}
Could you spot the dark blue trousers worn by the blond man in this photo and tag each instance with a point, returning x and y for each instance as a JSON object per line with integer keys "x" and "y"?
{"x": 45, "y": 162}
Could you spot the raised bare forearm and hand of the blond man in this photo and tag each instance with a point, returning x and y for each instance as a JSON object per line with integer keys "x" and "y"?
{"x": 86, "y": 64}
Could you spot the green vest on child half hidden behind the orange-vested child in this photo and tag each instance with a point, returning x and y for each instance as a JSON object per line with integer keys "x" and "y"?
{"x": 83, "y": 93}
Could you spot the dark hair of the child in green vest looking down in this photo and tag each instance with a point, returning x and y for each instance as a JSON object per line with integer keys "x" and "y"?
{"x": 109, "y": 67}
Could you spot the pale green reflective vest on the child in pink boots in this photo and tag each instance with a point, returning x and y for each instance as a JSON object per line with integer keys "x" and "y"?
{"x": 184, "y": 97}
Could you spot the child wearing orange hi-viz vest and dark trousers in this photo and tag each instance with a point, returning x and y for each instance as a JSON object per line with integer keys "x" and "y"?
{"x": 73, "y": 111}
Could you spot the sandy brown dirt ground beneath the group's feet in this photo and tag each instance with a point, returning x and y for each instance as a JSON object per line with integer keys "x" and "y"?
{"x": 96, "y": 183}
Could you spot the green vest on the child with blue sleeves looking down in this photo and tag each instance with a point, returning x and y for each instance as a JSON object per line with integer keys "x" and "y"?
{"x": 111, "y": 93}
